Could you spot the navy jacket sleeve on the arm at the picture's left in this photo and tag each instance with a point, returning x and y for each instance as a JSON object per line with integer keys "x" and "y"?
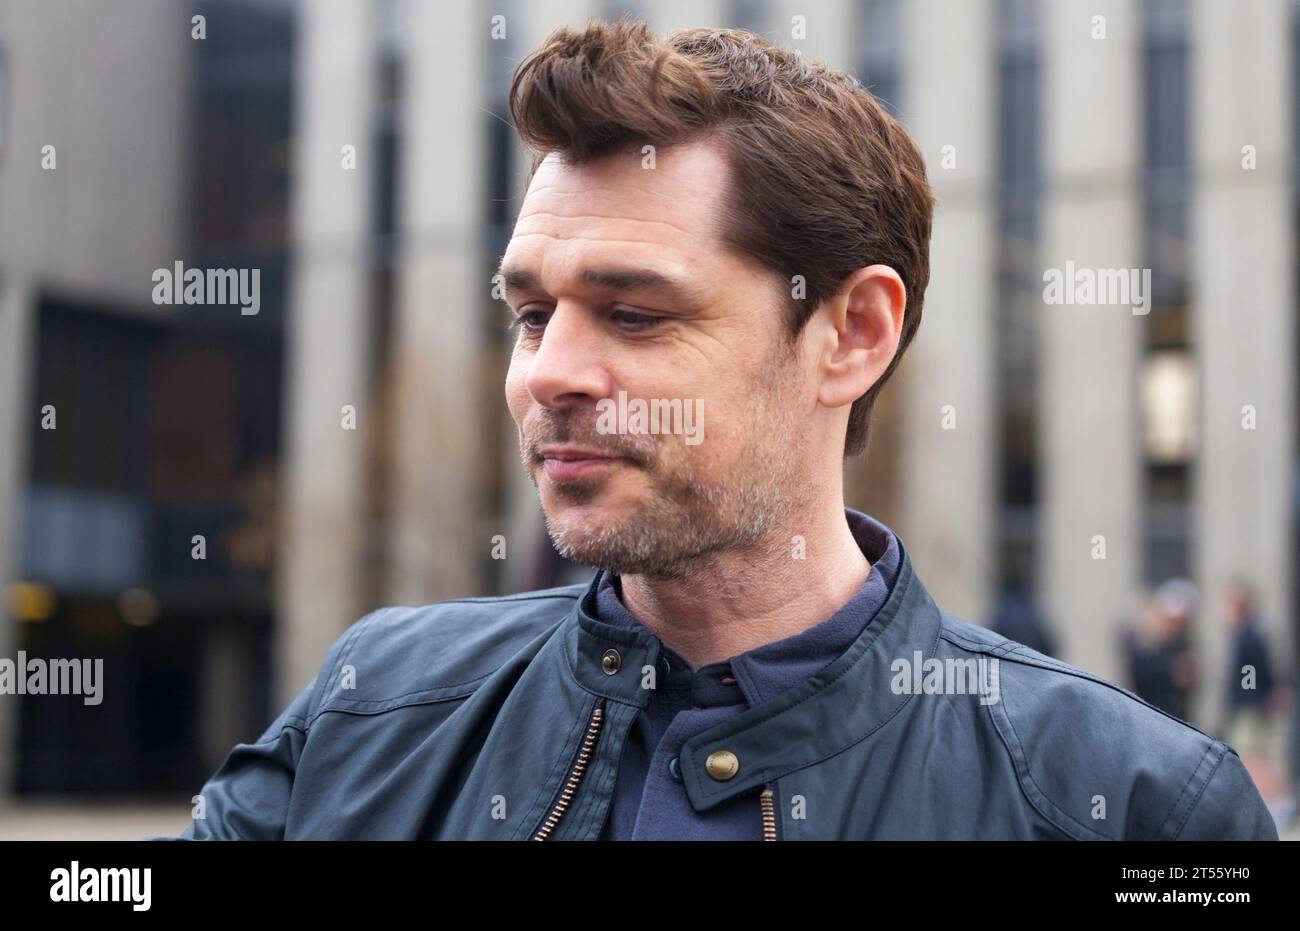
{"x": 248, "y": 798}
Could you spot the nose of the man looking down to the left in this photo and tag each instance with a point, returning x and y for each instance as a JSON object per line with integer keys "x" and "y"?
{"x": 567, "y": 370}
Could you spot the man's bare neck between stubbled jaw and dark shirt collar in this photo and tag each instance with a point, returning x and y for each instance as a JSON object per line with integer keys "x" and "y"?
{"x": 740, "y": 600}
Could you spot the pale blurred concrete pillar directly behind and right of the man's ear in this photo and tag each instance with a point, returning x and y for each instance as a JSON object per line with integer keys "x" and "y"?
{"x": 948, "y": 475}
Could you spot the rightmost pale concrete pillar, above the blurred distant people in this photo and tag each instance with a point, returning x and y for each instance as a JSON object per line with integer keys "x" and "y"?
{"x": 1245, "y": 322}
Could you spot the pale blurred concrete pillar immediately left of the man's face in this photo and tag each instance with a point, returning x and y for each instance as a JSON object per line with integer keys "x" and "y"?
{"x": 440, "y": 354}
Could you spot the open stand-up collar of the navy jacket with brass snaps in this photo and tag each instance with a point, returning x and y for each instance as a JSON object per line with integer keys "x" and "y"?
{"x": 833, "y": 711}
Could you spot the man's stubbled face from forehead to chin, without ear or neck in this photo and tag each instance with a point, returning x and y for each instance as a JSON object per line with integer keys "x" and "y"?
{"x": 712, "y": 336}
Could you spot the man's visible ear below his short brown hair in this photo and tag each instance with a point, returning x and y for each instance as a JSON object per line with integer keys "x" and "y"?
{"x": 863, "y": 327}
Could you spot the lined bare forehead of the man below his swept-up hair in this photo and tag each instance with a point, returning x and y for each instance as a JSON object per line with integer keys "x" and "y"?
{"x": 614, "y": 207}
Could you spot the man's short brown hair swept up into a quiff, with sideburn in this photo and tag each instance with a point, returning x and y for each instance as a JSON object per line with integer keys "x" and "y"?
{"x": 824, "y": 181}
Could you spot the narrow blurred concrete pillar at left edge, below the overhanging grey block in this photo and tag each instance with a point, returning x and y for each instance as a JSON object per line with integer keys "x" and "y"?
{"x": 18, "y": 353}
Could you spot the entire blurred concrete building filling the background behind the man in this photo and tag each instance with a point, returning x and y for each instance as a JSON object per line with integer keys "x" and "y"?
{"x": 349, "y": 447}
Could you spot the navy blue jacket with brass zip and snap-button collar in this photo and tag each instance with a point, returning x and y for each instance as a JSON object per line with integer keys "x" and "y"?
{"x": 505, "y": 720}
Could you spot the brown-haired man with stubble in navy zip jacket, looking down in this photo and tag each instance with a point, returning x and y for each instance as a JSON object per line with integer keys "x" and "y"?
{"x": 713, "y": 227}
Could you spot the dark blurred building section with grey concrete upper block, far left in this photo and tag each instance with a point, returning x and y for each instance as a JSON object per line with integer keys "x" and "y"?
{"x": 131, "y": 428}
